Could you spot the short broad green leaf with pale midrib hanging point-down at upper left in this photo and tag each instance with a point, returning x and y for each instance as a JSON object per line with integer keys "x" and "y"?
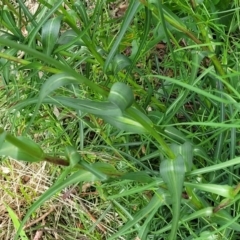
{"x": 50, "y": 31}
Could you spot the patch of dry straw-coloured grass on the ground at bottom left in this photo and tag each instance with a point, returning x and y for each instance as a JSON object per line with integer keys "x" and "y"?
{"x": 66, "y": 216}
